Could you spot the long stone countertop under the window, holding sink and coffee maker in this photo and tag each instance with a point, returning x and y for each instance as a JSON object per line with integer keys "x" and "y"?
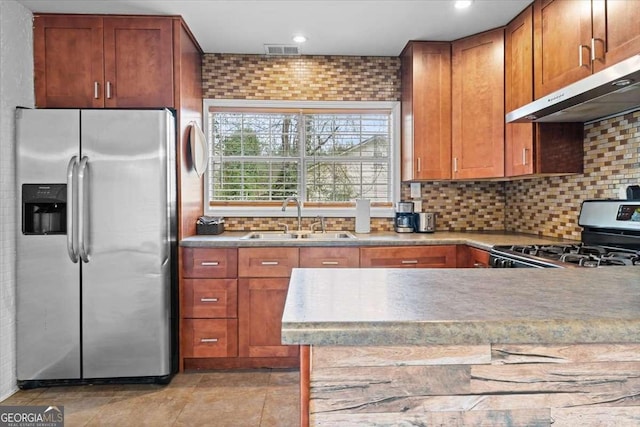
{"x": 481, "y": 240}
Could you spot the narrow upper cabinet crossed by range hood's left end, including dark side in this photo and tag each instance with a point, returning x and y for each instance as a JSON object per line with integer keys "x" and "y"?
{"x": 541, "y": 148}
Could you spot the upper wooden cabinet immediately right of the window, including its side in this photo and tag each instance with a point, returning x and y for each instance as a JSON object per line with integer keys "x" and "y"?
{"x": 426, "y": 111}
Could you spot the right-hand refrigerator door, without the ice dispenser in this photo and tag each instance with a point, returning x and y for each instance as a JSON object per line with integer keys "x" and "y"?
{"x": 126, "y": 276}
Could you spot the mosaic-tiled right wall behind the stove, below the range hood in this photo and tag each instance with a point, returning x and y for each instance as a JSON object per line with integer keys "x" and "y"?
{"x": 550, "y": 206}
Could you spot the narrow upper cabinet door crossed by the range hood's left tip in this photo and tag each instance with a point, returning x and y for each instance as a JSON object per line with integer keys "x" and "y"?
{"x": 519, "y": 92}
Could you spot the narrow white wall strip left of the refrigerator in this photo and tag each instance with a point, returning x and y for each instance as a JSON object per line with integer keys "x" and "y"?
{"x": 16, "y": 88}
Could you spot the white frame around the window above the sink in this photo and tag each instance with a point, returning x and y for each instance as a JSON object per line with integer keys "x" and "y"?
{"x": 273, "y": 211}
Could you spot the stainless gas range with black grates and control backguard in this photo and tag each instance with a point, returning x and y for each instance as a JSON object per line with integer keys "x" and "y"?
{"x": 610, "y": 237}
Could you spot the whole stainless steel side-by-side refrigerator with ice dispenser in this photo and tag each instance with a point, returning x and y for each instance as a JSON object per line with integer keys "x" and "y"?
{"x": 96, "y": 261}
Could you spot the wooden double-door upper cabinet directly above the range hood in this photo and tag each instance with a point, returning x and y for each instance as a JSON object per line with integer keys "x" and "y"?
{"x": 574, "y": 38}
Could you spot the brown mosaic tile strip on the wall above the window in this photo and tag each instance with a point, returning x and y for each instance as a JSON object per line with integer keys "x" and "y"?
{"x": 309, "y": 78}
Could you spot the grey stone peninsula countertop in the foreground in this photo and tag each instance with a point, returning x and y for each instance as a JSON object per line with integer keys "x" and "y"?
{"x": 462, "y": 306}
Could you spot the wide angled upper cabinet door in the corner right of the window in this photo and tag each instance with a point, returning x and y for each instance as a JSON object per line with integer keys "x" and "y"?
{"x": 478, "y": 106}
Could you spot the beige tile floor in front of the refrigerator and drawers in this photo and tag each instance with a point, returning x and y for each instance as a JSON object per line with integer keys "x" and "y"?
{"x": 260, "y": 398}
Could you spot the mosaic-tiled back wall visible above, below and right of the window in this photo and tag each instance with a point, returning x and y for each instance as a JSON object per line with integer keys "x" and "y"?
{"x": 460, "y": 206}
